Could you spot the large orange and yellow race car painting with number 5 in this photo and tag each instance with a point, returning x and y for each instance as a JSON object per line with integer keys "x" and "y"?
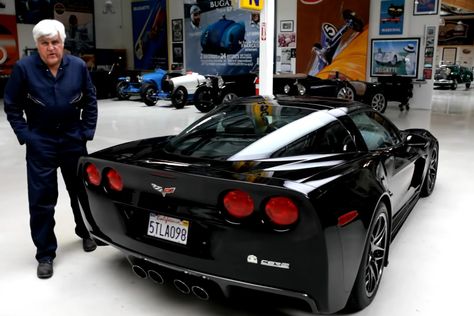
{"x": 335, "y": 39}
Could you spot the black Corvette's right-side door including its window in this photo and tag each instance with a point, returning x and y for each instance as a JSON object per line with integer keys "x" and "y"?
{"x": 397, "y": 161}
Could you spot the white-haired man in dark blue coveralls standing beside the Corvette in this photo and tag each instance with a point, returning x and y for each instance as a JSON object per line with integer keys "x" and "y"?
{"x": 51, "y": 105}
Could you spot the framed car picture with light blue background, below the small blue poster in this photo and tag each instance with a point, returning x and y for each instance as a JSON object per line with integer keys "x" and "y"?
{"x": 392, "y": 56}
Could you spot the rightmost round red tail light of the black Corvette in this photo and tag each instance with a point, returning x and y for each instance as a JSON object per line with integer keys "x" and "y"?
{"x": 281, "y": 211}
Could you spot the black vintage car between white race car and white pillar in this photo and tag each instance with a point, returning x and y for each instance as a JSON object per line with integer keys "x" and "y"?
{"x": 223, "y": 88}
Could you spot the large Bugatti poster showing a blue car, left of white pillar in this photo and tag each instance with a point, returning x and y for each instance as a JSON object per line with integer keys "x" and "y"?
{"x": 220, "y": 39}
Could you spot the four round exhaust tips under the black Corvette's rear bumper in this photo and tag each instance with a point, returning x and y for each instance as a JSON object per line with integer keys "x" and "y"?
{"x": 143, "y": 271}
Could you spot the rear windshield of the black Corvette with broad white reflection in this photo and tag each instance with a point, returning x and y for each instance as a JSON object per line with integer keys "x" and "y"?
{"x": 261, "y": 130}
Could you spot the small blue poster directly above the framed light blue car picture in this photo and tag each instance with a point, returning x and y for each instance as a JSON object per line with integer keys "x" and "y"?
{"x": 391, "y": 17}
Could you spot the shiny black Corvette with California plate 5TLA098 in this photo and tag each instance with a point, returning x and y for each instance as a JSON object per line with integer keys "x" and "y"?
{"x": 295, "y": 198}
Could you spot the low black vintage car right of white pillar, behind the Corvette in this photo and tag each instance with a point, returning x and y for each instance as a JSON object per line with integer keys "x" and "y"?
{"x": 301, "y": 84}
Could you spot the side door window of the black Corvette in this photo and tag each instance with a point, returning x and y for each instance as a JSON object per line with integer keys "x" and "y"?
{"x": 377, "y": 132}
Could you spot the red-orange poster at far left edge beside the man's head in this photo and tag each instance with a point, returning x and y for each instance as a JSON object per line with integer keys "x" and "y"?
{"x": 8, "y": 44}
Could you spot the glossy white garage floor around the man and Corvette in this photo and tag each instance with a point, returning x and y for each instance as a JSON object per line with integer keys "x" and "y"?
{"x": 430, "y": 270}
